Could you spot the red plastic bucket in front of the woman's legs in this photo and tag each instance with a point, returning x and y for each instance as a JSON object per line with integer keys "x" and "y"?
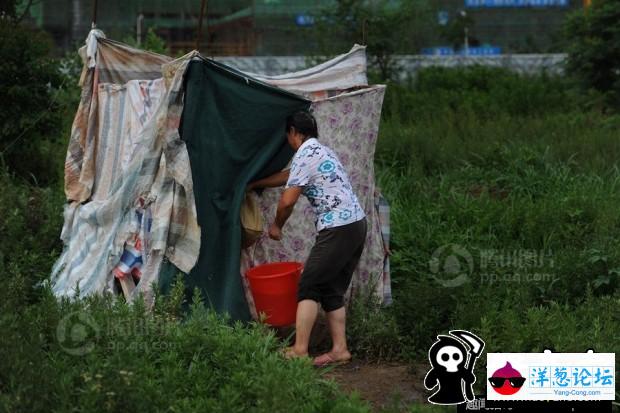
{"x": 274, "y": 288}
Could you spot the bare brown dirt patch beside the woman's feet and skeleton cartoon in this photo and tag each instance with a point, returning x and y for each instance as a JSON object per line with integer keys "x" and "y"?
{"x": 381, "y": 384}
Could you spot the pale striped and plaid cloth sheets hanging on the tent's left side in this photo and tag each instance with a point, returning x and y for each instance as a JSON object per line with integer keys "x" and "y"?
{"x": 125, "y": 157}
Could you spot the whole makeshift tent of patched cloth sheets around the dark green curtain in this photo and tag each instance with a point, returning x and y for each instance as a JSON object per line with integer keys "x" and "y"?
{"x": 161, "y": 146}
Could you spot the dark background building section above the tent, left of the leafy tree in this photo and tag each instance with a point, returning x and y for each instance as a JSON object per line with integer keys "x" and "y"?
{"x": 233, "y": 27}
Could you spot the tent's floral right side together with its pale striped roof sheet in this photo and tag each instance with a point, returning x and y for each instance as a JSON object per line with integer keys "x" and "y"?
{"x": 348, "y": 114}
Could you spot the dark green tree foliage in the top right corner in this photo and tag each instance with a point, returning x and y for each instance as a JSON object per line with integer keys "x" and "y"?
{"x": 594, "y": 48}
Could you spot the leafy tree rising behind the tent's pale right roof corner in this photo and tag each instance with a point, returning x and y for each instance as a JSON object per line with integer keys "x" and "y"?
{"x": 387, "y": 28}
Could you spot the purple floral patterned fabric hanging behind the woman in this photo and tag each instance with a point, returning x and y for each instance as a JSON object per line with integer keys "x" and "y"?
{"x": 348, "y": 124}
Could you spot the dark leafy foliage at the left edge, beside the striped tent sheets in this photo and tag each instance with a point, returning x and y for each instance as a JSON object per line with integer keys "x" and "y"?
{"x": 33, "y": 96}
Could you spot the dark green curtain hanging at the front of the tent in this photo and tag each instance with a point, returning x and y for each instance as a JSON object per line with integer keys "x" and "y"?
{"x": 233, "y": 127}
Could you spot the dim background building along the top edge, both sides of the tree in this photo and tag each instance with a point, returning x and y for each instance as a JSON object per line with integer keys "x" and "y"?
{"x": 284, "y": 27}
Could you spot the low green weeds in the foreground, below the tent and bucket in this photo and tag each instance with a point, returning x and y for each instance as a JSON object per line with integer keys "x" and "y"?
{"x": 101, "y": 355}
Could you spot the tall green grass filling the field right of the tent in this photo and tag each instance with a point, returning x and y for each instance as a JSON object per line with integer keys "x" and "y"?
{"x": 501, "y": 163}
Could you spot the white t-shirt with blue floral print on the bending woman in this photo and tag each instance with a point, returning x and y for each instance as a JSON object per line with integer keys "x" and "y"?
{"x": 318, "y": 171}
